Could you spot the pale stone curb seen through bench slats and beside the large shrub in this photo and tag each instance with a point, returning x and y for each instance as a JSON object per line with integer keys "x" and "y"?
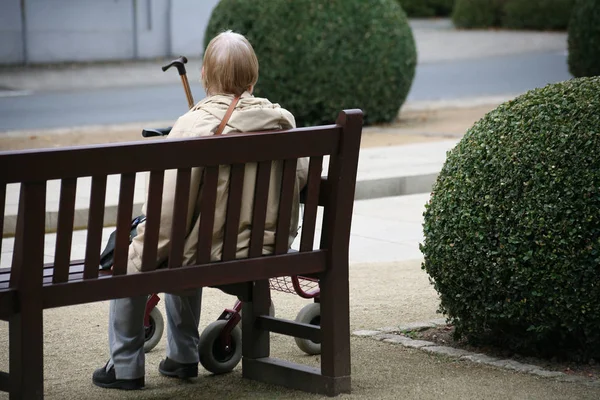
{"x": 365, "y": 190}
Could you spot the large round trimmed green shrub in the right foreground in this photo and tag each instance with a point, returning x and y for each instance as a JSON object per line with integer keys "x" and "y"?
{"x": 512, "y": 230}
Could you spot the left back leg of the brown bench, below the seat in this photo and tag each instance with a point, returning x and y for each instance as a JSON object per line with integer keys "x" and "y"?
{"x": 26, "y": 355}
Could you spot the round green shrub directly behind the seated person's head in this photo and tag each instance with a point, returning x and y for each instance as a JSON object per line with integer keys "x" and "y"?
{"x": 318, "y": 57}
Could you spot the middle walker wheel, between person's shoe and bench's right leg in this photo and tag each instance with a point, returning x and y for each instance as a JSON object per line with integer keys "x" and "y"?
{"x": 214, "y": 356}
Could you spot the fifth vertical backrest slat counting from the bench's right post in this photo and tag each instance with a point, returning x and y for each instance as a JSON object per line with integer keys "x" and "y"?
{"x": 207, "y": 214}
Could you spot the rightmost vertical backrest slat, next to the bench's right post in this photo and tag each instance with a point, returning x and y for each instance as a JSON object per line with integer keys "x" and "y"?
{"x": 311, "y": 203}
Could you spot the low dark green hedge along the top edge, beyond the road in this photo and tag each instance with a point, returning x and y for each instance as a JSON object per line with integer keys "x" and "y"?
{"x": 513, "y": 14}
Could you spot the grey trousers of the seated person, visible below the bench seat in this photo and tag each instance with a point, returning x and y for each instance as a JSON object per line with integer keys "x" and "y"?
{"x": 126, "y": 332}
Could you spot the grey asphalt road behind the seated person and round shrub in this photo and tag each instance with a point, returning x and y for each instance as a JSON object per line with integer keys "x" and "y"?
{"x": 492, "y": 76}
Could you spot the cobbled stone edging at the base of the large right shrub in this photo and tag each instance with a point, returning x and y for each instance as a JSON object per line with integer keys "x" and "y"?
{"x": 393, "y": 335}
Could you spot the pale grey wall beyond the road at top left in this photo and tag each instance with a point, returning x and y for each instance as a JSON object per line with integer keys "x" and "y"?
{"x": 96, "y": 30}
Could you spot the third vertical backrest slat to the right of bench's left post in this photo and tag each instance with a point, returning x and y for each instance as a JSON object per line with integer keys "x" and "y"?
{"x": 124, "y": 216}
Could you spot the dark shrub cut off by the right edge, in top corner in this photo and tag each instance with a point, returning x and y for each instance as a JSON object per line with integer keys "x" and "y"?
{"x": 584, "y": 39}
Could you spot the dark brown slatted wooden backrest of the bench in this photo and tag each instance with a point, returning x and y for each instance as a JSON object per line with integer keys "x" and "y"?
{"x": 59, "y": 286}
